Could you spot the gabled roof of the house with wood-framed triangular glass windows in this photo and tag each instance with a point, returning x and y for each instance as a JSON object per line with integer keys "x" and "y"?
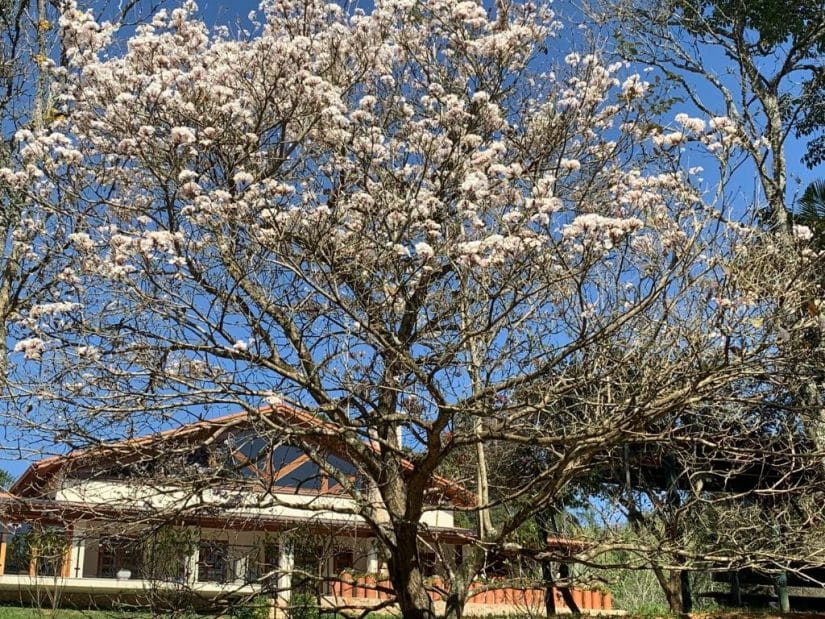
{"x": 197, "y": 448}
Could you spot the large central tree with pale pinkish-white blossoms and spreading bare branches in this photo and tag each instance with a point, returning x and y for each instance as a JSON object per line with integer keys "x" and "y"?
{"x": 403, "y": 221}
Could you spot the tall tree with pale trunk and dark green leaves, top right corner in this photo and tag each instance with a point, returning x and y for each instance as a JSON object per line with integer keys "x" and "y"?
{"x": 765, "y": 50}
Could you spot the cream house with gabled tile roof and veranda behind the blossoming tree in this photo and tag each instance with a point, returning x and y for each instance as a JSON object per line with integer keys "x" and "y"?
{"x": 216, "y": 512}
